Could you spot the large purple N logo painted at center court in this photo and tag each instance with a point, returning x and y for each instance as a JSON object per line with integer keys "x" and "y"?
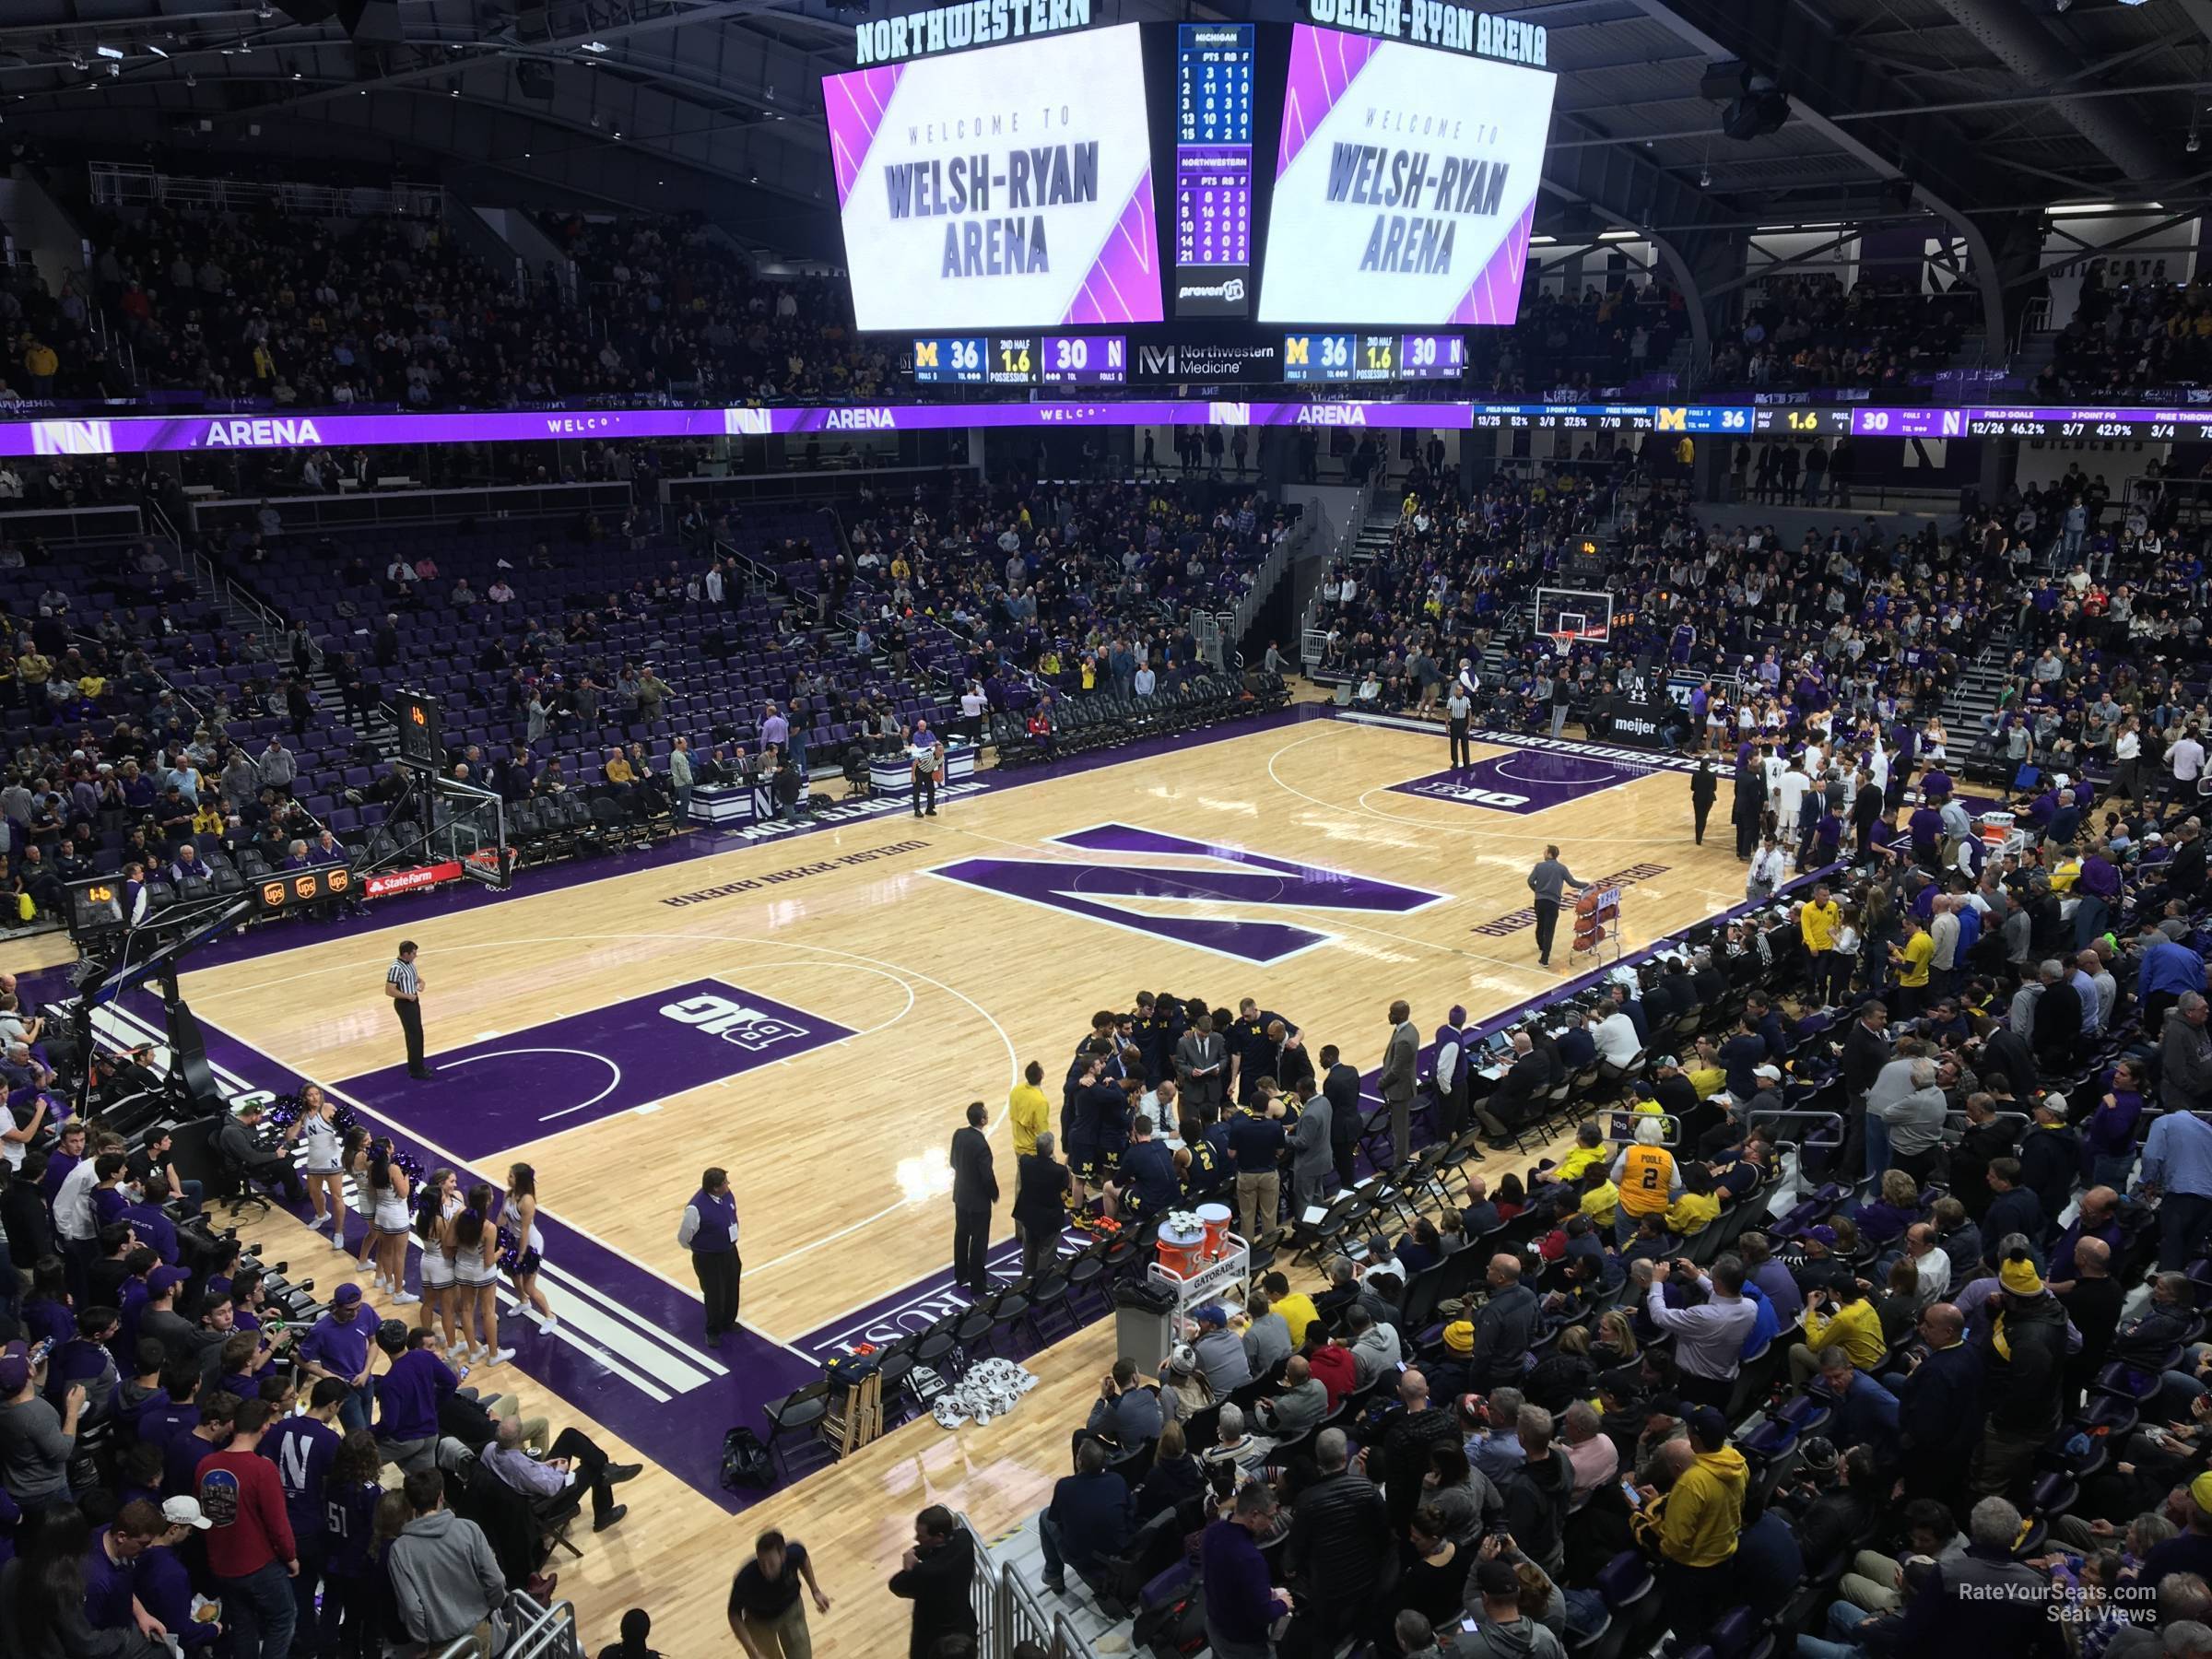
{"x": 1242, "y": 899}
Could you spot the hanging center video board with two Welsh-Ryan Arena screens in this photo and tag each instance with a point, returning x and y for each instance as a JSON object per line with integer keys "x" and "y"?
{"x": 1041, "y": 202}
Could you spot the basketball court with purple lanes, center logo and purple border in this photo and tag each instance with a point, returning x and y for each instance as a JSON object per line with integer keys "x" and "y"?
{"x": 815, "y": 1008}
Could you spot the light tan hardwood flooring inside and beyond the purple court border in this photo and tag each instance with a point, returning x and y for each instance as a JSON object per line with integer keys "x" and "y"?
{"x": 950, "y": 952}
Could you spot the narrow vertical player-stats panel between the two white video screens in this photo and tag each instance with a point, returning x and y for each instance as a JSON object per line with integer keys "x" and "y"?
{"x": 1213, "y": 169}
